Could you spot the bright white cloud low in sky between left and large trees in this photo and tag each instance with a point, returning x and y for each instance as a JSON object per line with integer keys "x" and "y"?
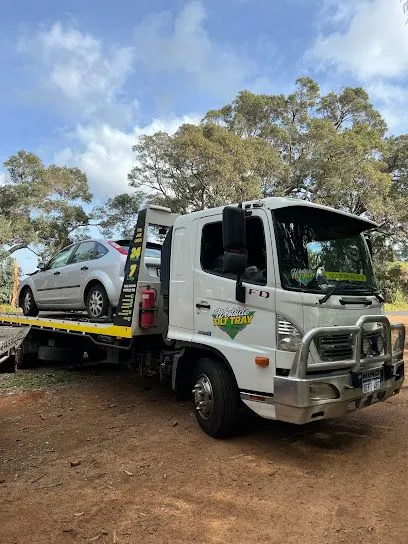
{"x": 105, "y": 154}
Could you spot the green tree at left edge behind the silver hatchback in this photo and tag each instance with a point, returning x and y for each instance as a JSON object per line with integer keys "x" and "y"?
{"x": 42, "y": 206}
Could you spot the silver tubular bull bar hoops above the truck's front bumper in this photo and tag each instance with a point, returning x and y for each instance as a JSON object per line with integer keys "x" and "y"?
{"x": 301, "y": 365}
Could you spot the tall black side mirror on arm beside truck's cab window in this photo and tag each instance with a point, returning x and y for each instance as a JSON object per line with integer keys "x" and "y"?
{"x": 234, "y": 242}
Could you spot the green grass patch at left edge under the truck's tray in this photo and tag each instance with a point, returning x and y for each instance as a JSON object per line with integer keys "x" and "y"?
{"x": 35, "y": 379}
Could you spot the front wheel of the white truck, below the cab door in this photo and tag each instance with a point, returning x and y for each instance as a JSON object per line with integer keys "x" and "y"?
{"x": 216, "y": 398}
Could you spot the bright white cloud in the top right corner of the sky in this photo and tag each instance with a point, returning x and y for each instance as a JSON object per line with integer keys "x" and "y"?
{"x": 374, "y": 43}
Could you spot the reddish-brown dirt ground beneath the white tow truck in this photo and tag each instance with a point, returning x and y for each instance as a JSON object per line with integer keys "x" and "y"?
{"x": 97, "y": 455}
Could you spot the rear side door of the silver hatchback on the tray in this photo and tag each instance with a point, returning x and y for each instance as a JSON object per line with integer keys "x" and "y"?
{"x": 78, "y": 269}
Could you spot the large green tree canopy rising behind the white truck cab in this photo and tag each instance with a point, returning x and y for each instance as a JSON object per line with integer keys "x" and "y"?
{"x": 329, "y": 149}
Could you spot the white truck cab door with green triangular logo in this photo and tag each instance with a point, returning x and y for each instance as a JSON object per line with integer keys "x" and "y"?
{"x": 239, "y": 331}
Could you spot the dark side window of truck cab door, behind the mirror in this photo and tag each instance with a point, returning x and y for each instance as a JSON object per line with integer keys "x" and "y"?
{"x": 212, "y": 251}
